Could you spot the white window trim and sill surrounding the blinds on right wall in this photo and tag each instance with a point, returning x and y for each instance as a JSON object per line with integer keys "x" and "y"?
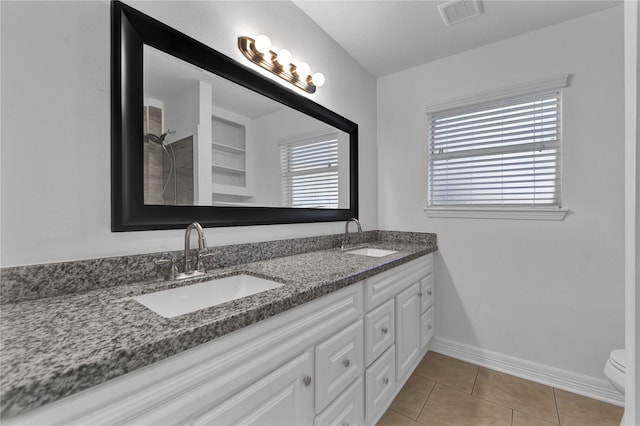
{"x": 554, "y": 83}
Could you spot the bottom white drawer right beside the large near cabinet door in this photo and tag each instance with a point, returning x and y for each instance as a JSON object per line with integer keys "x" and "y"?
{"x": 347, "y": 409}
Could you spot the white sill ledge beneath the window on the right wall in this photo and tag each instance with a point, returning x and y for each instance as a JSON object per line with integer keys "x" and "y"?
{"x": 516, "y": 213}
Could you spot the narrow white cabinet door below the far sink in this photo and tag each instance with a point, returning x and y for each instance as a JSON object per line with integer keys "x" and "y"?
{"x": 407, "y": 330}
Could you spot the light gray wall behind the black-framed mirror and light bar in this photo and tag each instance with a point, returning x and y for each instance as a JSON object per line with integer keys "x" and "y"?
{"x": 55, "y": 202}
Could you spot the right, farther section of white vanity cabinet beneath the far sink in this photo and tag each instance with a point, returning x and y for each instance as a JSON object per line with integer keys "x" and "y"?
{"x": 398, "y": 327}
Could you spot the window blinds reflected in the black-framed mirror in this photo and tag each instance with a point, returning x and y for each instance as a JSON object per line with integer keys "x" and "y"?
{"x": 310, "y": 172}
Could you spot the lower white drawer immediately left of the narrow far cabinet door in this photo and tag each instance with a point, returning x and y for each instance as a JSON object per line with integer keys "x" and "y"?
{"x": 380, "y": 384}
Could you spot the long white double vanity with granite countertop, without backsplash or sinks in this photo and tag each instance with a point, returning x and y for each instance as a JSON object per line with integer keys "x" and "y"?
{"x": 333, "y": 345}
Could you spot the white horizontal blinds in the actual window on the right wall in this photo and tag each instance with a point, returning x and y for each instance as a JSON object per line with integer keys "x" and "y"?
{"x": 498, "y": 153}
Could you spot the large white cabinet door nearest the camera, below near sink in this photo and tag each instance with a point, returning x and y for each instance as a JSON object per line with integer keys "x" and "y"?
{"x": 284, "y": 397}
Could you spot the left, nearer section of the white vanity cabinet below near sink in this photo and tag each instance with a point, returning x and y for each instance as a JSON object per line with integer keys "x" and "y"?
{"x": 261, "y": 374}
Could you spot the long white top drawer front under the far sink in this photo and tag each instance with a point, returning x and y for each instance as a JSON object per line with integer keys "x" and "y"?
{"x": 382, "y": 287}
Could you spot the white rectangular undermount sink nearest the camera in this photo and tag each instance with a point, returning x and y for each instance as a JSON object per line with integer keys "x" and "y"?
{"x": 183, "y": 300}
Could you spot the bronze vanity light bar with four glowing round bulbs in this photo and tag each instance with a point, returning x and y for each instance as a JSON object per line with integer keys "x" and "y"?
{"x": 269, "y": 61}
